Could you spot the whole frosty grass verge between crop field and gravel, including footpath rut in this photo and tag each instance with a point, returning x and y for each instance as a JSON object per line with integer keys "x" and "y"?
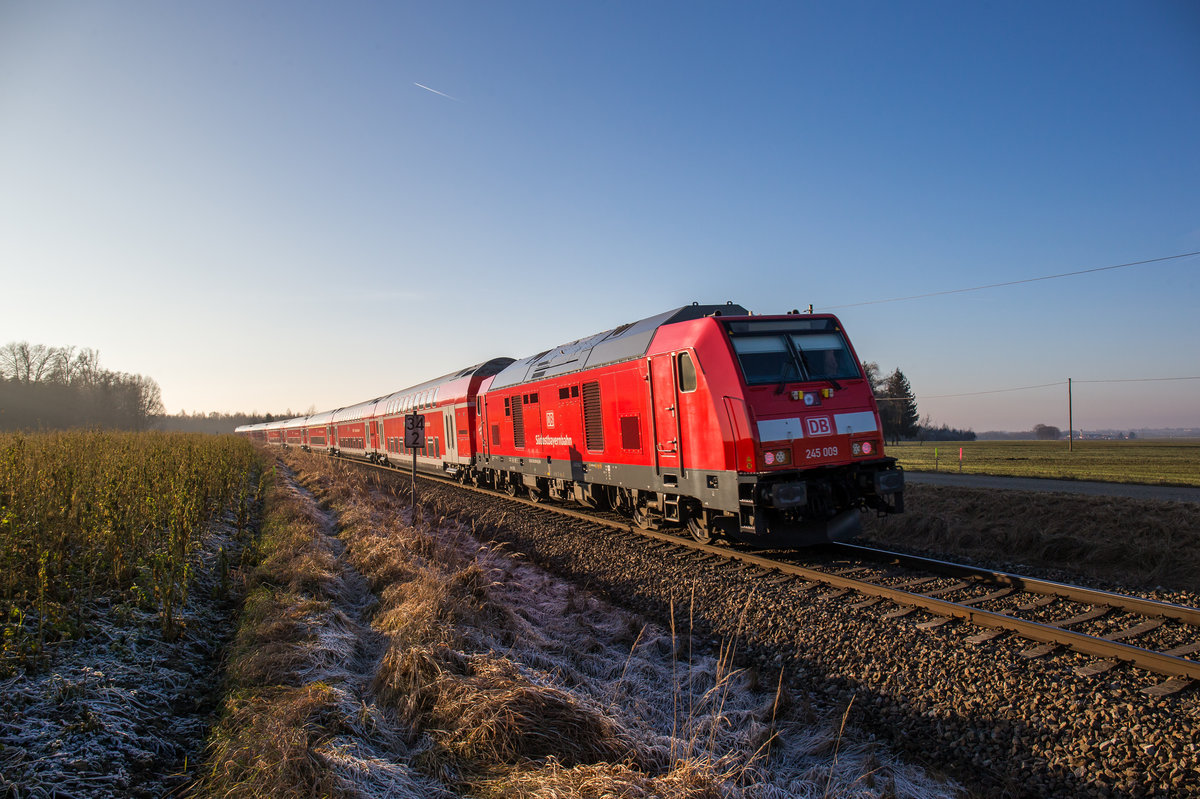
{"x": 439, "y": 664}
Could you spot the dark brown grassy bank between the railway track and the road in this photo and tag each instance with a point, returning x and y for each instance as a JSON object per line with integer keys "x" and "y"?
{"x": 1136, "y": 544}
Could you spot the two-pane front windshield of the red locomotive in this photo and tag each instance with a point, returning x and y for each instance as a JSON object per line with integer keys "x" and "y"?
{"x": 793, "y": 352}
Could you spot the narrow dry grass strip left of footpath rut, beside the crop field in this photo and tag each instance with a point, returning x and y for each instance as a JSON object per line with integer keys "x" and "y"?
{"x": 279, "y": 711}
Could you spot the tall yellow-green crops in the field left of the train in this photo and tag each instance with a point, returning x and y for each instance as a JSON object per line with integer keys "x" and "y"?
{"x": 115, "y": 518}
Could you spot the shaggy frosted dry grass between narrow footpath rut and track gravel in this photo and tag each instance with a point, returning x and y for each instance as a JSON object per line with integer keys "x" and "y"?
{"x": 515, "y": 684}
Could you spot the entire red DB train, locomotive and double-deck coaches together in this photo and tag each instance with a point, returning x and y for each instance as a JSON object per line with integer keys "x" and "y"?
{"x": 731, "y": 425}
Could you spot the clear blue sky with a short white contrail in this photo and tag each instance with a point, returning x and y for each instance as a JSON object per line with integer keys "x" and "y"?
{"x": 257, "y": 206}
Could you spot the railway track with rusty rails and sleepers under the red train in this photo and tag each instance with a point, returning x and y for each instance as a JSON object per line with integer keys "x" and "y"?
{"x": 1051, "y": 616}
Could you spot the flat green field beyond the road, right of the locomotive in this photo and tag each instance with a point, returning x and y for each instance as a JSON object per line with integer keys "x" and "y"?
{"x": 1155, "y": 462}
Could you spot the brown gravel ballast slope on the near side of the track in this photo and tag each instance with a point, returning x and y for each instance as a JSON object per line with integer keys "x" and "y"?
{"x": 982, "y": 713}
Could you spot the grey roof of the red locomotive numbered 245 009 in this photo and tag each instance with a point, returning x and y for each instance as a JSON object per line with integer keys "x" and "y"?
{"x": 621, "y": 344}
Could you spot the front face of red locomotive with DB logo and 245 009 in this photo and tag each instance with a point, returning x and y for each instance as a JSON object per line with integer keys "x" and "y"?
{"x": 813, "y": 455}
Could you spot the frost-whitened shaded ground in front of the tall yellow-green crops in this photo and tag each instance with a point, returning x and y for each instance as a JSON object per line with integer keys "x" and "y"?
{"x": 122, "y": 711}
